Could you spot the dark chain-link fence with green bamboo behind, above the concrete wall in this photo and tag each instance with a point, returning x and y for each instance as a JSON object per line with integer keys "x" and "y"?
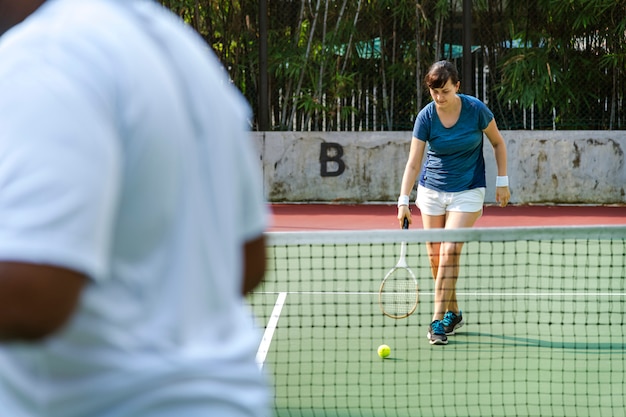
{"x": 354, "y": 65}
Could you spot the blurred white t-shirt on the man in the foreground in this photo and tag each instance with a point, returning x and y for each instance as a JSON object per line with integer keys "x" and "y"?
{"x": 125, "y": 155}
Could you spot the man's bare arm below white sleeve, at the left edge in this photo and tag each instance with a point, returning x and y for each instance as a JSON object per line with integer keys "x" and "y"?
{"x": 36, "y": 300}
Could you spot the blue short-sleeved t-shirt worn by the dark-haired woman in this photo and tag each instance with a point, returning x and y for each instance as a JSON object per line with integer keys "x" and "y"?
{"x": 454, "y": 158}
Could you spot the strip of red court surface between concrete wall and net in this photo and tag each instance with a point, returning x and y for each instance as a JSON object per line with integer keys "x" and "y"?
{"x": 295, "y": 217}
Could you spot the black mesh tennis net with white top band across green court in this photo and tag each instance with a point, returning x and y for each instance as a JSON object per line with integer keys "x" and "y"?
{"x": 544, "y": 335}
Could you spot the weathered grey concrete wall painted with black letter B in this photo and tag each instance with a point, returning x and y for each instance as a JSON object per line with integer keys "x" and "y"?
{"x": 561, "y": 167}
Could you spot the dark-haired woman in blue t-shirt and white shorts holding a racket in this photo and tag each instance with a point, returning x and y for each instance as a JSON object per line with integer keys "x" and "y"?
{"x": 451, "y": 189}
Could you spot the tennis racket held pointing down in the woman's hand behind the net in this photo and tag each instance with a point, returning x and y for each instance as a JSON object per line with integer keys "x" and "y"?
{"x": 398, "y": 294}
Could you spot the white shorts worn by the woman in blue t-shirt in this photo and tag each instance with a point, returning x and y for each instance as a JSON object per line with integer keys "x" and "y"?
{"x": 436, "y": 203}
